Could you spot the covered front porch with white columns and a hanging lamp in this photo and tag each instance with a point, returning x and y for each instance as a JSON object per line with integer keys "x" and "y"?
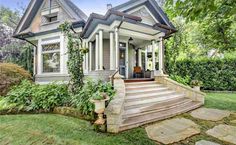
{"x": 133, "y": 49}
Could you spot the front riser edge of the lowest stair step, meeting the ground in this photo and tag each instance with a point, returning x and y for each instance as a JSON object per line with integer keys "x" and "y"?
{"x": 124, "y": 127}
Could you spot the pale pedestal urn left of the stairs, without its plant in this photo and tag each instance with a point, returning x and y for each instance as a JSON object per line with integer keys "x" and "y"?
{"x": 99, "y": 109}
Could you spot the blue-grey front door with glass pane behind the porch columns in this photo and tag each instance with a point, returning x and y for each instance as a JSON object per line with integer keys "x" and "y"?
{"x": 122, "y": 59}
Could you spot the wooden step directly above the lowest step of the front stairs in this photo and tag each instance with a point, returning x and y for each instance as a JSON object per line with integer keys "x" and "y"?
{"x": 156, "y": 108}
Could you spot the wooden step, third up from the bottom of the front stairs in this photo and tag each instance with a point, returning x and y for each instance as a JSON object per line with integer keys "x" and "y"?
{"x": 152, "y": 101}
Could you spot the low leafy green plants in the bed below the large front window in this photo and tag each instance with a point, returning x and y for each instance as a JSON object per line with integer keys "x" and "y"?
{"x": 34, "y": 97}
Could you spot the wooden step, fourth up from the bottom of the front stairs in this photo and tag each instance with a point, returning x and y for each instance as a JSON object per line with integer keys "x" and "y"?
{"x": 143, "y": 96}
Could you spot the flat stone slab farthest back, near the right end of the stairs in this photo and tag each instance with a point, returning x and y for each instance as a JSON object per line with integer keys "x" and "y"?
{"x": 210, "y": 114}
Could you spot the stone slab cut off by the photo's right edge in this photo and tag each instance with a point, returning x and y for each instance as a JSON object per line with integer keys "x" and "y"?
{"x": 224, "y": 132}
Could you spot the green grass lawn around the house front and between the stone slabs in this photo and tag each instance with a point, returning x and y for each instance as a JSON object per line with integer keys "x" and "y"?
{"x": 62, "y": 130}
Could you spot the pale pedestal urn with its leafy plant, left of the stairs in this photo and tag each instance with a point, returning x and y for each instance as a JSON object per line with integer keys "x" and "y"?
{"x": 99, "y": 99}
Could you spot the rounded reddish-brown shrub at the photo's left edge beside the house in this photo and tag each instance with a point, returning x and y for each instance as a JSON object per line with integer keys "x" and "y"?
{"x": 10, "y": 75}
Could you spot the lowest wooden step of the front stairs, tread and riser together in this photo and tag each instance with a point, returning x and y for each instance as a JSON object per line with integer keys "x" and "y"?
{"x": 148, "y": 118}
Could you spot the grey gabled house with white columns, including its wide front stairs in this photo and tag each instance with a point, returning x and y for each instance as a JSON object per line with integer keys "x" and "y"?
{"x": 124, "y": 43}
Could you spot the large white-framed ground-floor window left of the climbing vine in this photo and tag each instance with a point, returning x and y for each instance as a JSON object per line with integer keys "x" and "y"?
{"x": 51, "y": 58}
